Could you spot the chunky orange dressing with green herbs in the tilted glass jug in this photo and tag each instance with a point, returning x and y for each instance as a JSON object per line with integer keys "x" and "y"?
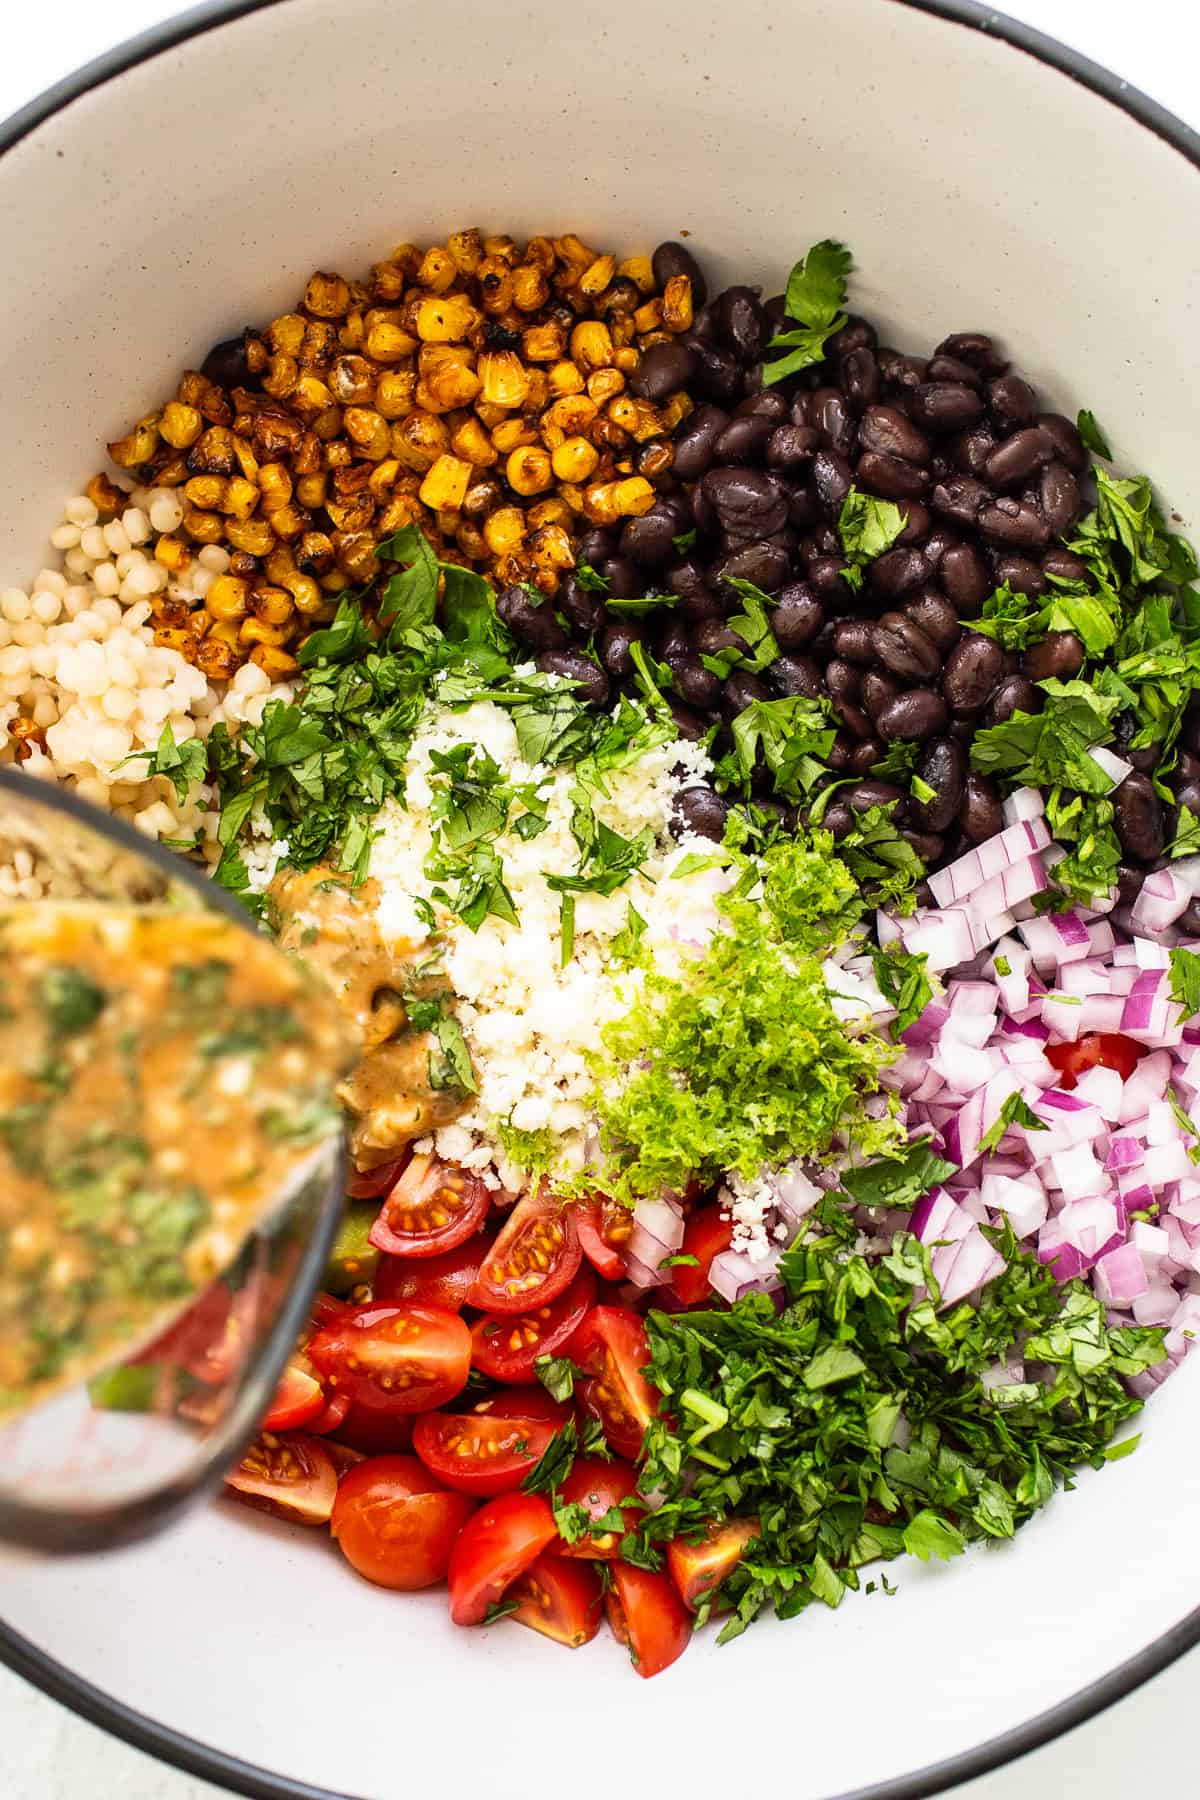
{"x": 165, "y": 1079}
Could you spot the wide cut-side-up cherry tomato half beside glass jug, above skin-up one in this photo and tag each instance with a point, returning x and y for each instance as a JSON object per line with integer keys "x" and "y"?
{"x": 397, "y": 1360}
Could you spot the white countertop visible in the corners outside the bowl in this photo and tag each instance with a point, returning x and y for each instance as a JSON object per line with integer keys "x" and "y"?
{"x": 1147, "y": 1740}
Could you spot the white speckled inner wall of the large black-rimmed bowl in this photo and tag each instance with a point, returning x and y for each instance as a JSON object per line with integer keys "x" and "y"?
{"x": 985, "y": 179}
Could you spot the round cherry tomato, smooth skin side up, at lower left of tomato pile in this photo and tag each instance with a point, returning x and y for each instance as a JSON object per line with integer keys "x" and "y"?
{"x": 395, "y": 1524}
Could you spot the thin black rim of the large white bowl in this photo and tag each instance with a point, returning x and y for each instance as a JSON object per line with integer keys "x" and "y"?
{"x": 213, "y": 1765}
